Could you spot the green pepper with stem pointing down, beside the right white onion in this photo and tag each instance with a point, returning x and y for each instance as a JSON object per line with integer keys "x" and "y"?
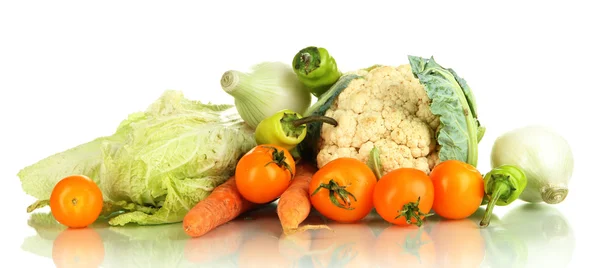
{"x": 502, "y": 186}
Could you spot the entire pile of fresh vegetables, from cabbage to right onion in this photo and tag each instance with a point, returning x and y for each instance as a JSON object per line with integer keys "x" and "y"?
{"x": 402, "y": 141}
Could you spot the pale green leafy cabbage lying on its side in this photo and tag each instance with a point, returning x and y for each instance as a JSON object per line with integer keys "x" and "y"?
{"x": 157, "y": 165}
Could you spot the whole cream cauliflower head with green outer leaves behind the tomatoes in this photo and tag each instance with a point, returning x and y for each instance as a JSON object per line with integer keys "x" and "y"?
{"x": 417, "y": 115}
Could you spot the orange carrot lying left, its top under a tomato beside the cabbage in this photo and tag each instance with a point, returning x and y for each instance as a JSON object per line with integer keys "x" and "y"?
{"x": 224, "y": 204}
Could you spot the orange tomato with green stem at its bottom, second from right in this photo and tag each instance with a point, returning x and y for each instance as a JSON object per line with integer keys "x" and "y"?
{"x": 400, "y": 187}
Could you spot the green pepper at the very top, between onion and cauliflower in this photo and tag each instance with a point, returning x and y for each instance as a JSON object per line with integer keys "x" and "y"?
{"x": 316, "y": 69}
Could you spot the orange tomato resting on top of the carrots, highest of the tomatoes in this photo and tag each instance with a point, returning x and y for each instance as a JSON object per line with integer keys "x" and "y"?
{"x": 264, "y": 173}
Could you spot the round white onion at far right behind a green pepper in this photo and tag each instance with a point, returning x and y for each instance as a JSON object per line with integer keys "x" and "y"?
{"x": 545, "y": 157}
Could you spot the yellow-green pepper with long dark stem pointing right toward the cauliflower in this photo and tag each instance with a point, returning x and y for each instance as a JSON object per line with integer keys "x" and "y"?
{"x": 286, "y": 128}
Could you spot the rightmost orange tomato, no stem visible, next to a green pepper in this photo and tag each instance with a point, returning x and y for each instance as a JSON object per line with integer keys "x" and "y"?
{"x": 458, "y": 189}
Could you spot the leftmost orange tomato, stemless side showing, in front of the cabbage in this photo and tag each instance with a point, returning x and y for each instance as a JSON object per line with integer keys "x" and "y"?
{"x": 76, "y": 201}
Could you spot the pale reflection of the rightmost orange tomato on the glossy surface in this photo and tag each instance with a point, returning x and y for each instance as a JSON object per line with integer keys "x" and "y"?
{"x": 458, "y": 243}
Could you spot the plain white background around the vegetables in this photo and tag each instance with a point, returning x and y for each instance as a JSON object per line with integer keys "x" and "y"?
{"x": 71, "y": 71}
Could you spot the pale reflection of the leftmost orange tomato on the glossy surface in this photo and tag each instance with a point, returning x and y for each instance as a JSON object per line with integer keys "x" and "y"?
{"x": 81, "y": 247}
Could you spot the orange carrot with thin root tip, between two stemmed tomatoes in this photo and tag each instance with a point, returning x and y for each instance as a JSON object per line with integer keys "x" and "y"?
{"x": 294, "y": 204}
